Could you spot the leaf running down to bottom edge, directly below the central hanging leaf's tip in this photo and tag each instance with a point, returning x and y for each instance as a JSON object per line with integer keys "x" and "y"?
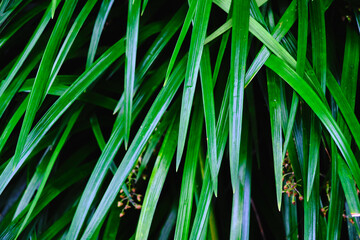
{"x": 188, "y": 179}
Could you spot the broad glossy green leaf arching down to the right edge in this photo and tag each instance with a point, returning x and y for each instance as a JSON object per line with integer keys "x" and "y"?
{"x": 319, "y": 108}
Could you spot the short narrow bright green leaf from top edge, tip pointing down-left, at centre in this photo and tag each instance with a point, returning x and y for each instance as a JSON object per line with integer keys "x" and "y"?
{"x": 184, "y": 29}
